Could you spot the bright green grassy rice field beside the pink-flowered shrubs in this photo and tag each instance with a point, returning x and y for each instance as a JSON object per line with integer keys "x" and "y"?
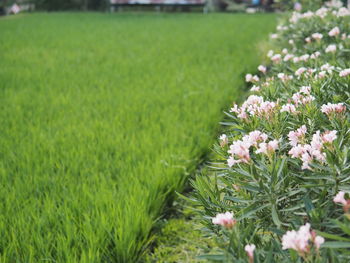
{"x": 102, "y": 117}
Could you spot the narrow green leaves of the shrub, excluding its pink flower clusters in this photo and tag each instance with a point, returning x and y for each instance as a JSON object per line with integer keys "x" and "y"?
{"x": 272, "y": 193}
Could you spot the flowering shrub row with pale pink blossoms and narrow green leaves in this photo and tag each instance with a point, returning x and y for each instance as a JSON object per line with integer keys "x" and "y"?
{"x": 284, "y": 162}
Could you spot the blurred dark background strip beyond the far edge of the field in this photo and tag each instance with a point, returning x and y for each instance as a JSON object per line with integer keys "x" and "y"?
{"x": 249, "y": 6}
